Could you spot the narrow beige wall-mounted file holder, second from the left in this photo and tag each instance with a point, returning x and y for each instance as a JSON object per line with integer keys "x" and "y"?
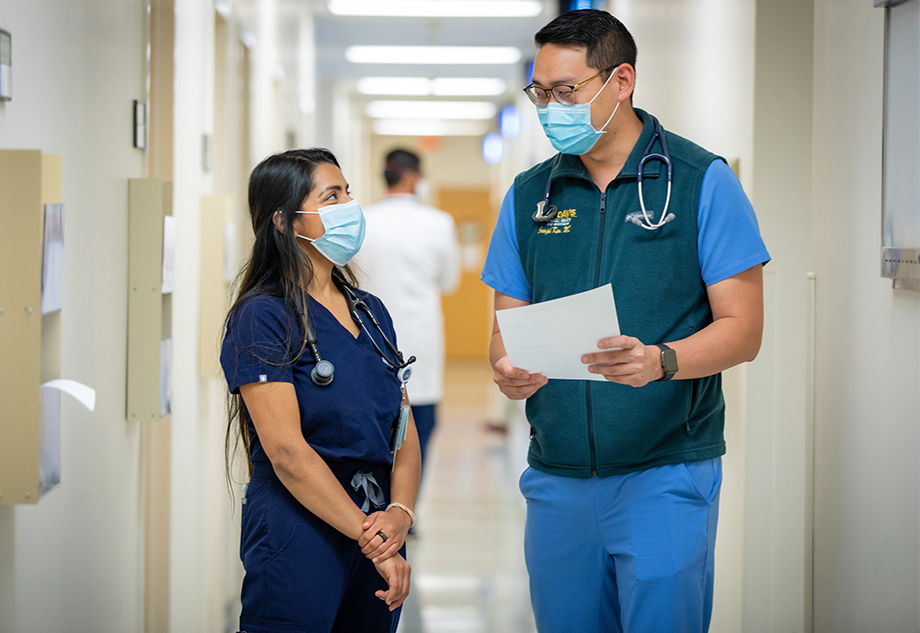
{"x": 149, "y": 309}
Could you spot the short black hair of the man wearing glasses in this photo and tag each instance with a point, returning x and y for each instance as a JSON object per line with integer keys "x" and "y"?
{"x": 607, "y": 41}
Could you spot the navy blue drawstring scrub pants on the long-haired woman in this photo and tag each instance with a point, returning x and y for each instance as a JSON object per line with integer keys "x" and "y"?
{"x": 302, "y": 575}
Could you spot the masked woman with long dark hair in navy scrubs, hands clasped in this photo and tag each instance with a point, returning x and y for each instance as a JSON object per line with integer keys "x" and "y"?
{"x": 325, "y": 513}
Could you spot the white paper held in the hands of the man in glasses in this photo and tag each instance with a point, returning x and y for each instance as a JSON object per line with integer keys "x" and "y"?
{"x": 550, "y": 337}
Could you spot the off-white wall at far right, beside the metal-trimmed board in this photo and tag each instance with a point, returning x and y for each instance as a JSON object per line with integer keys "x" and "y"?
{"x": 867, "y": 409}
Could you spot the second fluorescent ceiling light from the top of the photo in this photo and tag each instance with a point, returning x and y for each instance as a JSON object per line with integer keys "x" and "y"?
{"x": 433, "y": 54}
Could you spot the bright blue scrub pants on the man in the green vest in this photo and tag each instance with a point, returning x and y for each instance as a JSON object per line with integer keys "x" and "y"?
{"x": 627, "y": 554}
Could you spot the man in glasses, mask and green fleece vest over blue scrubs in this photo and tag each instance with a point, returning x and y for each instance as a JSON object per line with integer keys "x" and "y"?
{"x": 623, "y": 485}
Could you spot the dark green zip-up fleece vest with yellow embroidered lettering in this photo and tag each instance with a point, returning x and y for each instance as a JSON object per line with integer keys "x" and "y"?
{"x": 581, "y": 428}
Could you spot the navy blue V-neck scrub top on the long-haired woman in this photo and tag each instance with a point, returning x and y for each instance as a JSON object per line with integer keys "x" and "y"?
{"x": 349, "y": 420}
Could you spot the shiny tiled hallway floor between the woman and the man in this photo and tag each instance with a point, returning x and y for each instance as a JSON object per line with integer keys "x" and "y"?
{"x": 467, "y": 560}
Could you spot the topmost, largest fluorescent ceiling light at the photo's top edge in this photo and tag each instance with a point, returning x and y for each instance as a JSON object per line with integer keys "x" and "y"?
{"x": 438, "y": 8}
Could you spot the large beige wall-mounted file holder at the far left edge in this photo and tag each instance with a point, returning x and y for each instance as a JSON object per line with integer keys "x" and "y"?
{"x": 30, "y": 344}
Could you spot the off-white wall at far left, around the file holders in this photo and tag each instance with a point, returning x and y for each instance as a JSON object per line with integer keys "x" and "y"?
{"x": 75, "y": 561}
